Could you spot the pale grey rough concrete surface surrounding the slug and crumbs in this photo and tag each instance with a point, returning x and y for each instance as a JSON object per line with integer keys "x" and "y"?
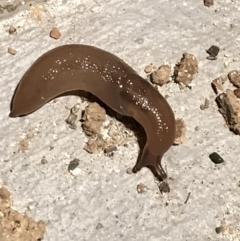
{"x": 103, "y": 193}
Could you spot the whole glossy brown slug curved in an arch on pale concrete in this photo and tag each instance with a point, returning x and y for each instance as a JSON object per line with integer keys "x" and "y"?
{"x": 81, "y": 67}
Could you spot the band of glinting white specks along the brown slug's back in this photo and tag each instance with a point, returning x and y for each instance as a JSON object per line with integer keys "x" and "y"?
{"x": 107, "y": 73}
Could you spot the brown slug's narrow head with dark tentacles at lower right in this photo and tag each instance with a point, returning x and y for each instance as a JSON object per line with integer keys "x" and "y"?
{"x": 152, "y": 162}
